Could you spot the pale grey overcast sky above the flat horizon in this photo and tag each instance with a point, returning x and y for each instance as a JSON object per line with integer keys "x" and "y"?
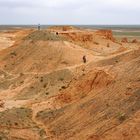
{"x": 70, "y": 11}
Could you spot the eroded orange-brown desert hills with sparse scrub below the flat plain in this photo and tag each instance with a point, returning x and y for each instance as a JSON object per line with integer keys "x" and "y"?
{"x": 68, "y": 83}
